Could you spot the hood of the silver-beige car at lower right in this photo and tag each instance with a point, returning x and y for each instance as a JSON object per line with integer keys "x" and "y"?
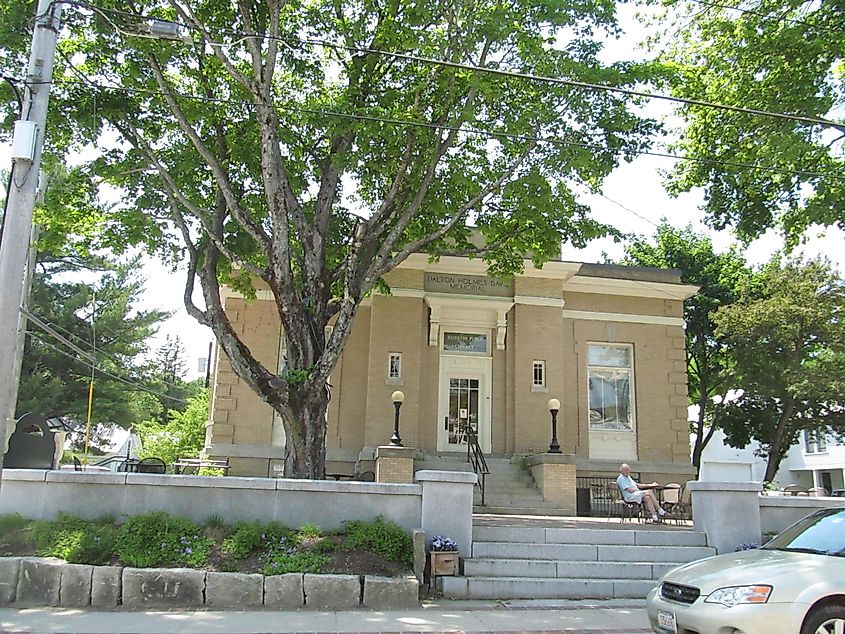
{"x": 741, "y": 568}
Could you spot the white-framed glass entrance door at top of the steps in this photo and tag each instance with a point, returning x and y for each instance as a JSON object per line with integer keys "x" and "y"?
{"x": 464, "y": 405}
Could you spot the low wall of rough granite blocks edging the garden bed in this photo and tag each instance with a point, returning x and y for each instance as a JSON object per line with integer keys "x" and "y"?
{"x": 34, "y": 581}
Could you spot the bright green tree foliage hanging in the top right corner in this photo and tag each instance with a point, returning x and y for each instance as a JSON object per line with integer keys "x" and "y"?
{"x": 759, "y": 171}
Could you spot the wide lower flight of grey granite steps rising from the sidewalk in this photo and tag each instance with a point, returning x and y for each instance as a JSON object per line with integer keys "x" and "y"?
{"x": 557, "y": 558}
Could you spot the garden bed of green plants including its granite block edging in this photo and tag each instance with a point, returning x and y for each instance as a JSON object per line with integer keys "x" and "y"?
{"x": 155, "y": 560}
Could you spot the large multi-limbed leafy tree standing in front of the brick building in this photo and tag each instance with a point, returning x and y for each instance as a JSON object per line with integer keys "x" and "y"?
{"x": 311, "y": 147}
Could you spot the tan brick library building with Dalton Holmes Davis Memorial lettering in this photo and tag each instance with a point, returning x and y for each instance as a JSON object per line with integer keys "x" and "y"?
{"x": 470, "y": 351}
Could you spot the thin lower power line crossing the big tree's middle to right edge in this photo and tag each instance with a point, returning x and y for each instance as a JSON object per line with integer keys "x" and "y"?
{"x": 473, "y": 131}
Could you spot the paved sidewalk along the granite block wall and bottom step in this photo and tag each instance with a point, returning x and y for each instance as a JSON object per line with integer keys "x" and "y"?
{"x": 575, "y": 617}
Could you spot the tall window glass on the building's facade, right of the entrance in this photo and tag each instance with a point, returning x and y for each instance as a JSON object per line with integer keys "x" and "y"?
{"x": 610, "y": 374}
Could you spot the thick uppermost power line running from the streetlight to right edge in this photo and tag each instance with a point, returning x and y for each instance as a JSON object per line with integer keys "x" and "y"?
{"x": 468, "y": 67}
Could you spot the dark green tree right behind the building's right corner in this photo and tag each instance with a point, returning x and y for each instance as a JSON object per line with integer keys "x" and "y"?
{"x": 719, "y": 277}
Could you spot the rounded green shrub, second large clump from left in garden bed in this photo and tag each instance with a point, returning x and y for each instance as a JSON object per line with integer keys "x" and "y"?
{"x": 156, "y": 539}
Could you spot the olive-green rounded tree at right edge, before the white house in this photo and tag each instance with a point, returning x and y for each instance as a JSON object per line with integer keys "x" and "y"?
{"x": 786, "y": 334}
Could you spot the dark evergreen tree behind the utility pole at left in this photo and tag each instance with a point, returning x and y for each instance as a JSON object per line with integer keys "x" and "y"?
{"x": 99, "y": 318}
